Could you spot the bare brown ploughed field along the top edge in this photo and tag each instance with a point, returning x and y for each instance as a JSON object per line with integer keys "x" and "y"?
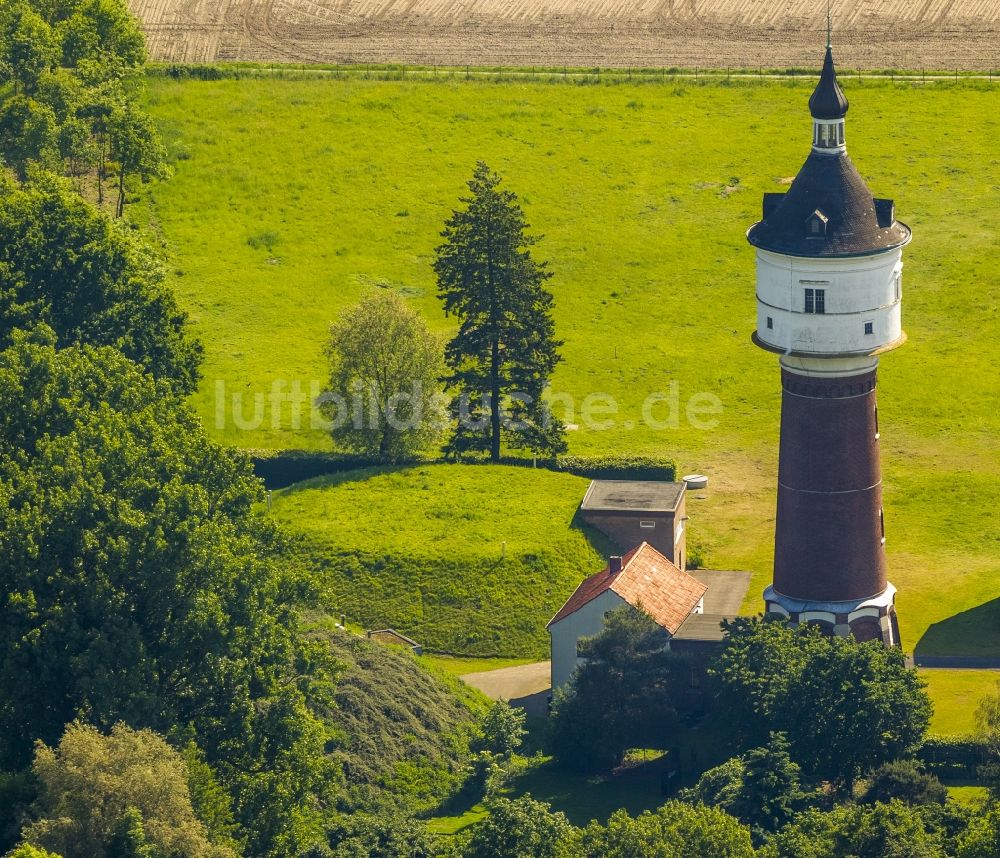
{"x": 870, "y": 34}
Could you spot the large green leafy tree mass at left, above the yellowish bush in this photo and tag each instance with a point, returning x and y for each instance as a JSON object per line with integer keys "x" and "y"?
{"x": 139, "y": 586}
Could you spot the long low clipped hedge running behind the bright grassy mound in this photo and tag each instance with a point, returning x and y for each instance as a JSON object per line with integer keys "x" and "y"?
{"x": 281, "y": 468}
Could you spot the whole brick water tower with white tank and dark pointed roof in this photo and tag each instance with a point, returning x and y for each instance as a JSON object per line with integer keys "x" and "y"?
{"x": 829, "y": 269}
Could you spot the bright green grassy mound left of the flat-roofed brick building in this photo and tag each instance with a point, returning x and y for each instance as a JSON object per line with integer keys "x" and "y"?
{"x": 422, "y": 550}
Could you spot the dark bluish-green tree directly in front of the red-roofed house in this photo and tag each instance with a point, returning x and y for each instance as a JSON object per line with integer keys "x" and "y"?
{"x": 625, "y": 695}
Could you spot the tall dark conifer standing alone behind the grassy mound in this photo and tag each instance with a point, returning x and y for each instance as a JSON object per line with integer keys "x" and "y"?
{"x": 505, "y": 350}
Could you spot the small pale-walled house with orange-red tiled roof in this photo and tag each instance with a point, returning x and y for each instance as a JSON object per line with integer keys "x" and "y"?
{"x": 643, "y": 578}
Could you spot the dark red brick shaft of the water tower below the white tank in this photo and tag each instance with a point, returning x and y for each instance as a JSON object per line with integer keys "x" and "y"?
{"x": 829, "y": 532}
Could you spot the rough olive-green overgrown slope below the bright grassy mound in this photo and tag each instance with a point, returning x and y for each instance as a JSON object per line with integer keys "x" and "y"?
{"x": 404, "y": 729}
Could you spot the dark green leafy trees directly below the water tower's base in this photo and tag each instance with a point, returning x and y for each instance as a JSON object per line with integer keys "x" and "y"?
{"x": 845, "y": 707}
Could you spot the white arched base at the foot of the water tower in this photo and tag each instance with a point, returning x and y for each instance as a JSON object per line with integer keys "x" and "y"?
{"x": 869, "y": 619}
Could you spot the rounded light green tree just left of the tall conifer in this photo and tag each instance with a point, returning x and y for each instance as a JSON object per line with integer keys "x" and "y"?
{"x": 383, "y": 398}
